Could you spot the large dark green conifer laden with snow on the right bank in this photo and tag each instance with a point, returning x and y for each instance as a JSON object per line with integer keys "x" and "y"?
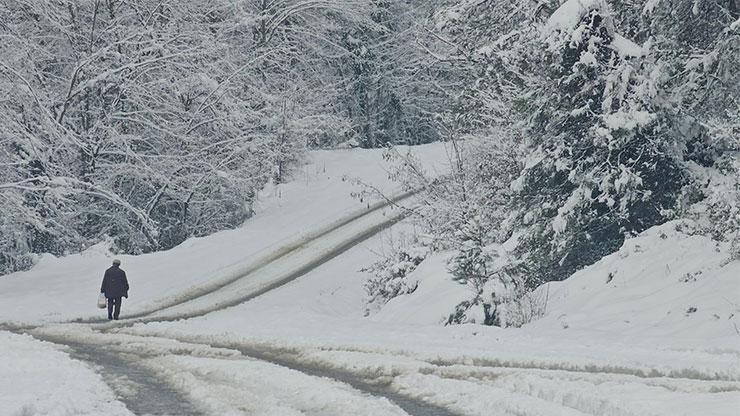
{"x": 603, "y": 164}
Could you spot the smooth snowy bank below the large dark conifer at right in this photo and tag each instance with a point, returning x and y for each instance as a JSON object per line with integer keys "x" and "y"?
{"x": 663, "y": 286}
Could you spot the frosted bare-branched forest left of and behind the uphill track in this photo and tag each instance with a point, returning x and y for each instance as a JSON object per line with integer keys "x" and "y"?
{"x": 150, "y": 121}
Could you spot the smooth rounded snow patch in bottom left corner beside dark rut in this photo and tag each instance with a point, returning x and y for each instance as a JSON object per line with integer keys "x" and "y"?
{"x": 38, "y": 379}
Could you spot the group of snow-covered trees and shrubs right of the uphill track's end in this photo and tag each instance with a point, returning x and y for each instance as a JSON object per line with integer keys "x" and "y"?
{"x": 619, "y": 115}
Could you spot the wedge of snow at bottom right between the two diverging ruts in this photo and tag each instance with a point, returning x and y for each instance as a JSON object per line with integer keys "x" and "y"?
{"x": 523, "y": 392}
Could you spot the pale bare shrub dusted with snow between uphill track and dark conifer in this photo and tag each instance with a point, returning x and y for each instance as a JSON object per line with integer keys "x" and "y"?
{"x": 475, "y": 191}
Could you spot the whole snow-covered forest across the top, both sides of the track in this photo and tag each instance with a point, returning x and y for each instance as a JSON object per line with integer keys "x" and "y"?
{"x": 573, "y": 125}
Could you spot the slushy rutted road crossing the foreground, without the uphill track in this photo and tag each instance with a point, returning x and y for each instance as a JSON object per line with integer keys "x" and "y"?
{"x": 207, "y": 377}
